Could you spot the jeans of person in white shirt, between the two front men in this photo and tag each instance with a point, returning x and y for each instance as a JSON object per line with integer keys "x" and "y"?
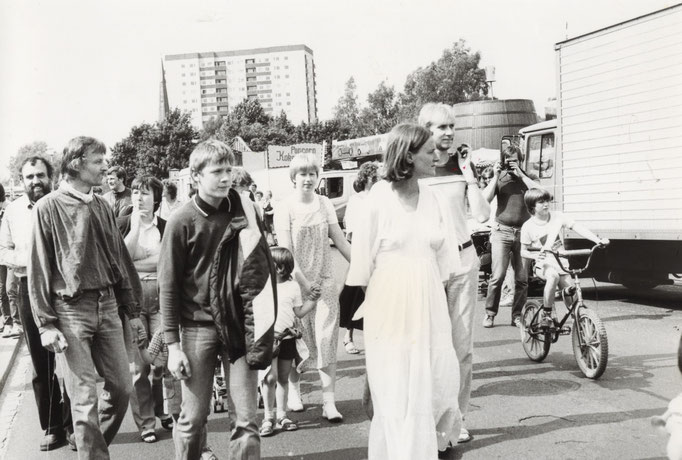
{"x": 146, "y": 402}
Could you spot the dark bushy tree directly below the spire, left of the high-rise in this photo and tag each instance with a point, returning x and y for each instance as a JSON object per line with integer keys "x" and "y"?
{"x": 156, "y": 148}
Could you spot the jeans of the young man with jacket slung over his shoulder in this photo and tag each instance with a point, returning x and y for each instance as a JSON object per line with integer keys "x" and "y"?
{"x": 202, "y": 346}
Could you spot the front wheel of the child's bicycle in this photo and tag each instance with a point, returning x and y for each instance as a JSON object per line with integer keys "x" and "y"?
{"x": 592, "y": 354}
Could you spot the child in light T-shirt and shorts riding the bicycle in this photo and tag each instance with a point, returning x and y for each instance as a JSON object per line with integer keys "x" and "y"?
{"x": 543, "y": 233}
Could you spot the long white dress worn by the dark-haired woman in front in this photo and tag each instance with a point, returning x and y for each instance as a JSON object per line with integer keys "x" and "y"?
{"x": 403, "y": 258}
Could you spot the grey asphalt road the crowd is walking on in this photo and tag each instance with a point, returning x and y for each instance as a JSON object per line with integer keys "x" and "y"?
{"x": 520, "y": 409}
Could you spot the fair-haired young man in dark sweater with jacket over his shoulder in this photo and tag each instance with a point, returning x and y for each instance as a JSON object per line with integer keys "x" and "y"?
{"x": 216, "y": 290}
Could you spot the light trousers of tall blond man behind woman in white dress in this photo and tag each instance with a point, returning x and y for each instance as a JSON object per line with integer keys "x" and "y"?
{"x": 462, "y": 290}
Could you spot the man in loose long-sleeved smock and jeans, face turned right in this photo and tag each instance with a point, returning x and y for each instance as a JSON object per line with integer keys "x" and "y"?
{"x": 80, "y": 273}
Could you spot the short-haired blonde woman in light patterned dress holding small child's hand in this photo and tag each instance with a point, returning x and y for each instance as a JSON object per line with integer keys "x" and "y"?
{"x": 304, "y": 223}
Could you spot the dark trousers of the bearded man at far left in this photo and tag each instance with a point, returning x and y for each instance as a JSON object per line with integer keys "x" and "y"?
{"x": 55, "y": 415}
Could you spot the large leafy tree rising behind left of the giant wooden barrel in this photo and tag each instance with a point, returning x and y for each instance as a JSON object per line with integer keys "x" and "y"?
{"x": 454, "y": 78}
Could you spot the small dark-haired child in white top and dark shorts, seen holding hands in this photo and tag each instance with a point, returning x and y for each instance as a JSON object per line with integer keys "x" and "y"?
{"x": 290, "y": 306}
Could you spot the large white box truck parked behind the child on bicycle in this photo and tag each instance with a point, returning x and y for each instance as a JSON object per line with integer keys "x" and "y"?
{"x": 613, "y": 156}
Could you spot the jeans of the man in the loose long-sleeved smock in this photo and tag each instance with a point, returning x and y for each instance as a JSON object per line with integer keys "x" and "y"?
{"x": 94, "y": 335}
